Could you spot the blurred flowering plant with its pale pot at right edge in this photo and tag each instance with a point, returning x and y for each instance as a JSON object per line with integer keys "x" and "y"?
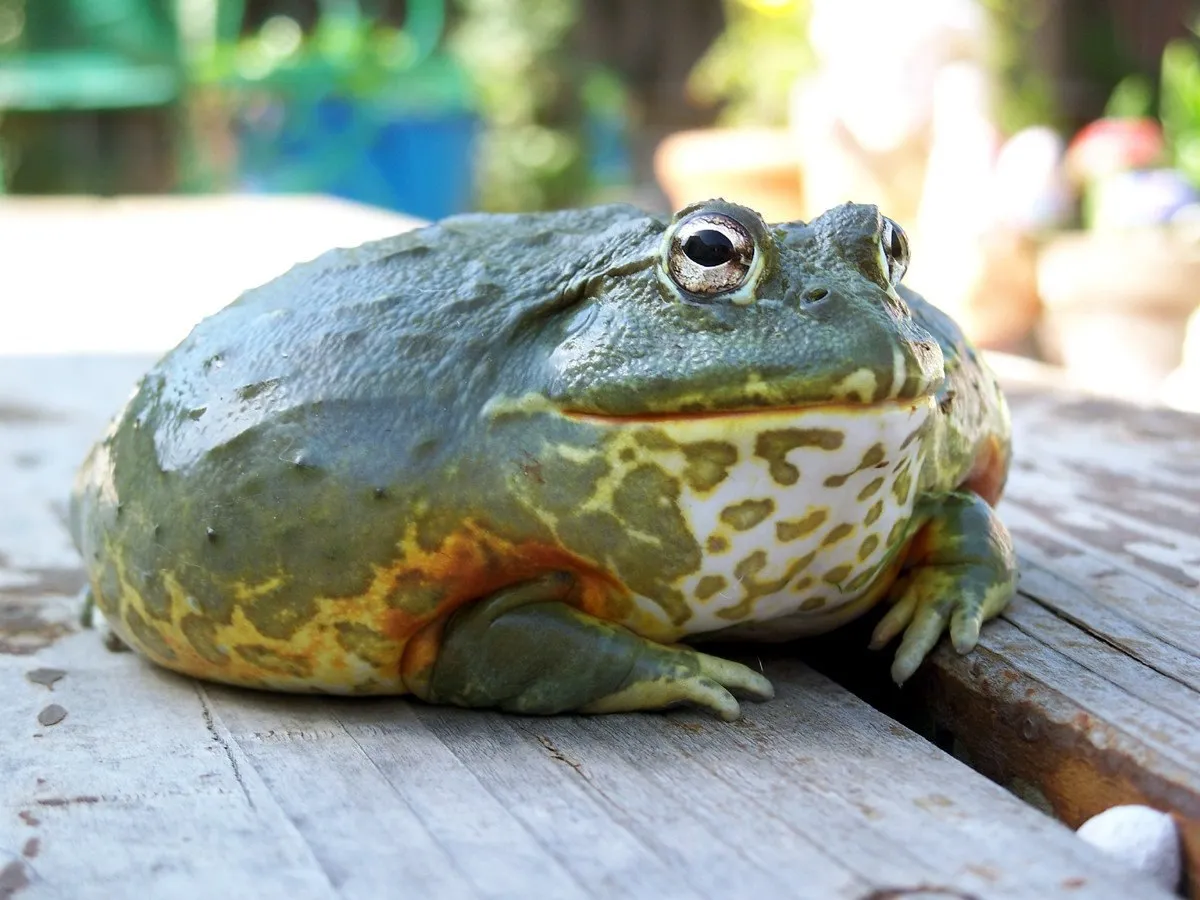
{"x": 1118, "y": 295}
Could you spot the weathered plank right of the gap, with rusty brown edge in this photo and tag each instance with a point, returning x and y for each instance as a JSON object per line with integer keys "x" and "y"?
{"x": 1088, "y": 693}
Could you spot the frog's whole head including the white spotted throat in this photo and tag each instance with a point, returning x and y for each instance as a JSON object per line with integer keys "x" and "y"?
{"x": 746, "y": 406}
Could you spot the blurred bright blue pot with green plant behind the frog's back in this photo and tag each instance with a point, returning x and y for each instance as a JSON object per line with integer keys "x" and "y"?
{"x": 357, "y": 109}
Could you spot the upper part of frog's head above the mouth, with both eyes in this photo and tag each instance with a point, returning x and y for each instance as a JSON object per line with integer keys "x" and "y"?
{"x": 716, "y": 311}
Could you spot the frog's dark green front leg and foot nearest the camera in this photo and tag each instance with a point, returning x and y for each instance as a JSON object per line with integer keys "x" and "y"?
{"x": 525, "y": 650}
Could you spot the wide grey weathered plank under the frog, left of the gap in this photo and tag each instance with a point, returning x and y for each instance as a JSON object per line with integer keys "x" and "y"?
{"x": 153, "y": 784}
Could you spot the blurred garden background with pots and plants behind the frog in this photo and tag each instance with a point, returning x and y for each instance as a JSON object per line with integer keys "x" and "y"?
{"x": 1045, "y": 155}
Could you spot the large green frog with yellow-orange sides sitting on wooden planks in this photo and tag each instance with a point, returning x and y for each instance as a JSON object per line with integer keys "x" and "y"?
{"x": 542, "y": 463}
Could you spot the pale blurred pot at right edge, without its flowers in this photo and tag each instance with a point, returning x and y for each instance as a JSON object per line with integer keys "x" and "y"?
{"x": 1117, "y": 307}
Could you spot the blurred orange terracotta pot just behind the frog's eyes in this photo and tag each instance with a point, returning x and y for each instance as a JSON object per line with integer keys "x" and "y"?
{"x": 755, "y": 167}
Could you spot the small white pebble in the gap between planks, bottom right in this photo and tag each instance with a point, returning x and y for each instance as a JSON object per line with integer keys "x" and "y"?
{"x": 1141, "y": 837}
